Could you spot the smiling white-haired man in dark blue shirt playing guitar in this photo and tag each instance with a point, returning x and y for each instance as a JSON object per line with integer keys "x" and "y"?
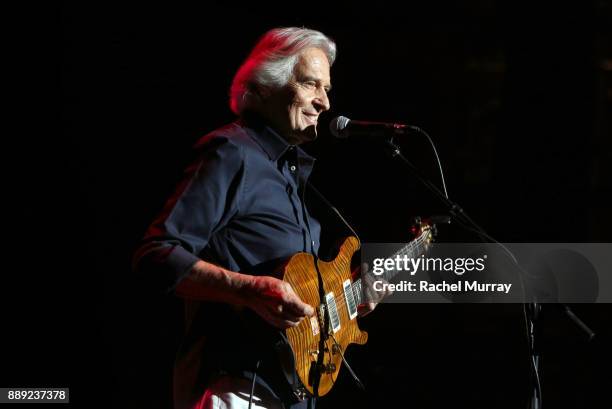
{"x": 239, "y": 211}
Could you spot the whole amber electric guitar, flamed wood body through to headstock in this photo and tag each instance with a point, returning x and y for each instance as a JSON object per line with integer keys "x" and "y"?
{"x": 314, "y": 348}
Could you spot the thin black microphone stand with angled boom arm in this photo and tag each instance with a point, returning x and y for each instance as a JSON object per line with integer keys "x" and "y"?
{"x": 532, "y": 309}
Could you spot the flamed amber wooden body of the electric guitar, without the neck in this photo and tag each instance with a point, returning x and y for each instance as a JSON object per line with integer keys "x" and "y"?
{"x": 305, "y": 339}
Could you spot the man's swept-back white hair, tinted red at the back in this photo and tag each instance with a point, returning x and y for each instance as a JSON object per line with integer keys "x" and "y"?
{"x": 271, "y": 63}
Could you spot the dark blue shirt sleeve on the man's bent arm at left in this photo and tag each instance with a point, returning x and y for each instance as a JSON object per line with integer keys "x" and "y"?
{"x": 202, "y": 204}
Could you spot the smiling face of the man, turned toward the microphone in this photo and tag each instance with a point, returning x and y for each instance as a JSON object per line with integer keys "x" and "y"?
{"x": 294, "y": 110}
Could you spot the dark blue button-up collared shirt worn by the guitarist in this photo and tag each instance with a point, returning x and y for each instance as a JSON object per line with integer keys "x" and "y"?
{"x": 241, "y": 206}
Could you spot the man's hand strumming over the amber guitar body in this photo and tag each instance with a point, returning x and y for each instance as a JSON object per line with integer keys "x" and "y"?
{"x": 275, "y": 301}
